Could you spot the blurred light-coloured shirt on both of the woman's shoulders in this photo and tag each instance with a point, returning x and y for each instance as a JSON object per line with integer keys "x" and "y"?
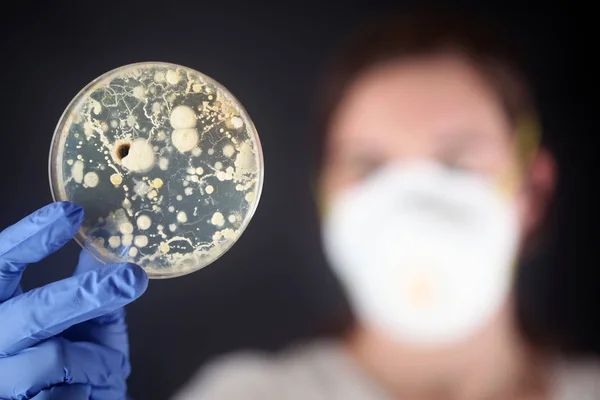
{"x": 324, "y": 371}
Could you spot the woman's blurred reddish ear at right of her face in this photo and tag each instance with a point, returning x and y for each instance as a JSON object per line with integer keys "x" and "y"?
{"x": 541, "y": 184}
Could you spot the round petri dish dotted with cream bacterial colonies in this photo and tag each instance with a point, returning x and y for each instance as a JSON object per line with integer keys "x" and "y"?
{"x": 165, "y": 162}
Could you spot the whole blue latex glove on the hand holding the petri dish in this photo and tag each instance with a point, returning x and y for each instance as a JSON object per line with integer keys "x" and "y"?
{"x": 68, "y": 339}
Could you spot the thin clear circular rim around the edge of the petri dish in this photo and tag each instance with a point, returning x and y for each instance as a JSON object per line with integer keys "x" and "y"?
{"x": 54, "y": 169}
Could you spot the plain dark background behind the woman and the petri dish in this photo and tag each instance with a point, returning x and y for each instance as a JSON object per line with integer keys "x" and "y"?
{"x": 273, "y": 288}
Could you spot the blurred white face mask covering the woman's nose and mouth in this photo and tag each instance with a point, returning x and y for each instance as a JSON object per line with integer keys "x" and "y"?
{"x": 425, "y": 253}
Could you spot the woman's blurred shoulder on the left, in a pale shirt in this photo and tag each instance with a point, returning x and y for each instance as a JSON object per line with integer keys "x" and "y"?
{"x": 316, "y": 370}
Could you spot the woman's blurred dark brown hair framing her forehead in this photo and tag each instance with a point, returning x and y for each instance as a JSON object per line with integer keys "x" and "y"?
{"x": 425, "y": 34}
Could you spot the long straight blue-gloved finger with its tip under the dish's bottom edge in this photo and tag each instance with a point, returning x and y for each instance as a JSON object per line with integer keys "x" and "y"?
{"x": 44, "y": 312}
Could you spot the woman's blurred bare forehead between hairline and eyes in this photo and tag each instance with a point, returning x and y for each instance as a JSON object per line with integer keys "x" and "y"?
{"x": 420, "y": 98}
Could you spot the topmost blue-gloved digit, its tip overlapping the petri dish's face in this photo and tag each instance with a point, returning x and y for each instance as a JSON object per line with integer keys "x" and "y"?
{"x": 32, "y": 239}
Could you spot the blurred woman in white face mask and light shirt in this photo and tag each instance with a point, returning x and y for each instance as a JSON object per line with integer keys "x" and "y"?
{"x": 432, "y": 185}
